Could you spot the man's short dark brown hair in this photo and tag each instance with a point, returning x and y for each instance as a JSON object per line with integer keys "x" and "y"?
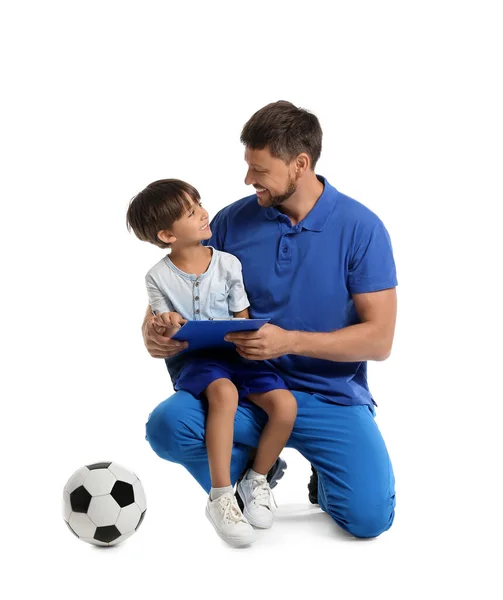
{"x": 286, "y": 131}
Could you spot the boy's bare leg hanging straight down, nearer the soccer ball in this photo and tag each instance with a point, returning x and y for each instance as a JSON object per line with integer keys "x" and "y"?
{"x": 222, "y": 398}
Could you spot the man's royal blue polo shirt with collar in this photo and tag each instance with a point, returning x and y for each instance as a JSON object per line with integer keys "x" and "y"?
{"x": 303, "y": 278}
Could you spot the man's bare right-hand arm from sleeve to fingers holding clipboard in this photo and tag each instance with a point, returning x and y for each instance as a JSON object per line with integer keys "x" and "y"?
{"x": 369, "y": 340}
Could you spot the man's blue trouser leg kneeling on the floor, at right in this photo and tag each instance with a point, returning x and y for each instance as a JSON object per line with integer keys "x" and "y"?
{"x": 344, "y": 444}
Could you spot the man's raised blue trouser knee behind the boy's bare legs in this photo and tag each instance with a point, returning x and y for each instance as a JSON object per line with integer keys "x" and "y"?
{"x": 176, "y": 432}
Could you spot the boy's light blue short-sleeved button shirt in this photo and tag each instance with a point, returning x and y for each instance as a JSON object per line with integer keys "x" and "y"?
{"x": 215, "y": 294}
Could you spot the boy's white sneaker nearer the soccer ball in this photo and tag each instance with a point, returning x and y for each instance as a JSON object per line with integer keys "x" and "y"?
{"x": 227, "y": 519}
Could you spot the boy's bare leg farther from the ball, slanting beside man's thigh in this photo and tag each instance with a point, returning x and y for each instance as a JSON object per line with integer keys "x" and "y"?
{"x": 281, "y": 408}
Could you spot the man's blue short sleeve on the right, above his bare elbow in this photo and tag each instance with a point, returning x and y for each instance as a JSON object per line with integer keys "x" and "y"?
{"x": 372, "y": 266}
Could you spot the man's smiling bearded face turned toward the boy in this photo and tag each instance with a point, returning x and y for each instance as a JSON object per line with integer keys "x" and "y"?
{"x": 273, "y": 180}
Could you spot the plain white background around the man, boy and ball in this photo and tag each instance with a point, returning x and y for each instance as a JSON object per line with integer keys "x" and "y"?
{"x": 101, "y": 98}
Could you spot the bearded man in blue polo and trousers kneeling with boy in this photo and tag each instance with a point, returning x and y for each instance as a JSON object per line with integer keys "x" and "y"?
{"x": 321, "y": 266}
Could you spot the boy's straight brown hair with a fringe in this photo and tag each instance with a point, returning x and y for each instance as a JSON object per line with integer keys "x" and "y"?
{"x": 157, "y": 207}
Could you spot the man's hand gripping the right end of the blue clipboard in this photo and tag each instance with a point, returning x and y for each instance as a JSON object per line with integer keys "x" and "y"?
{"x": 267, "y": 342}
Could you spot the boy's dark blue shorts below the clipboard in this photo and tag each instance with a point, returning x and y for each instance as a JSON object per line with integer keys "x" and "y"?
{"x": 249, "y": 376}
